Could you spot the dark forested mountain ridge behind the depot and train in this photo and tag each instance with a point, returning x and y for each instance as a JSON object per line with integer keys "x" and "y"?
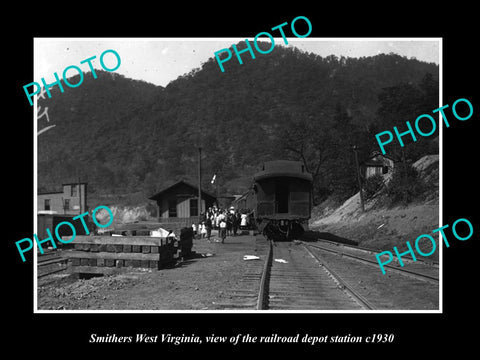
{"x": 124, "y": 136}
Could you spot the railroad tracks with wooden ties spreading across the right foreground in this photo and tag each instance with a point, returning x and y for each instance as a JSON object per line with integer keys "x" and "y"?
{"x": 308, "y": 276}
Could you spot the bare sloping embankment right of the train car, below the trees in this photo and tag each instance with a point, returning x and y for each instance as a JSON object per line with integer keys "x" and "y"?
{"x": 381, "y": 227}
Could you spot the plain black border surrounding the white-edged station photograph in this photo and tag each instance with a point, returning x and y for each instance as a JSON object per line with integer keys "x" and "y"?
{"x": 413, "y": 332}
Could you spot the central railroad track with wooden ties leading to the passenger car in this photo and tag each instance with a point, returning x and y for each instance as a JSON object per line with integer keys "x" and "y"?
{"x": 290, "y": 278}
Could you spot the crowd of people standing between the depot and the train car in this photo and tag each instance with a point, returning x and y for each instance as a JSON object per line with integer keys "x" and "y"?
{"x": 226, "y": 221}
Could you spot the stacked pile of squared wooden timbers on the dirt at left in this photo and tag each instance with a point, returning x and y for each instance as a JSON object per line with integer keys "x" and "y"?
{"x": 112, "y": 254}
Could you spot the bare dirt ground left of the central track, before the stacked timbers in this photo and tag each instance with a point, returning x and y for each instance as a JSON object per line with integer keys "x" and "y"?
{"x": 193, "y": 284}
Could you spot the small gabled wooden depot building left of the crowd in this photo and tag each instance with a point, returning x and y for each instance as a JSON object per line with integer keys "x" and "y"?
{"x": 178, "y": 203}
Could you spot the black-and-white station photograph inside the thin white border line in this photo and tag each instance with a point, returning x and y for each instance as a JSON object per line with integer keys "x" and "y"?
{"x": 258, "y": 188}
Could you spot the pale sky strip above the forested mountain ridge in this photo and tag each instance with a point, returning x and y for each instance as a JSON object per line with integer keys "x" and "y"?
{"x": 159, "y": 61}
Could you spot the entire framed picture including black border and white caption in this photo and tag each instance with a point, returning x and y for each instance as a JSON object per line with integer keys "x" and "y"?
{"x": 268, "y": 181}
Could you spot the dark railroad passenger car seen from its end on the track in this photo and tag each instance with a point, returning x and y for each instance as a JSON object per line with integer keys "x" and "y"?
{"x": 282, "y": 199}
